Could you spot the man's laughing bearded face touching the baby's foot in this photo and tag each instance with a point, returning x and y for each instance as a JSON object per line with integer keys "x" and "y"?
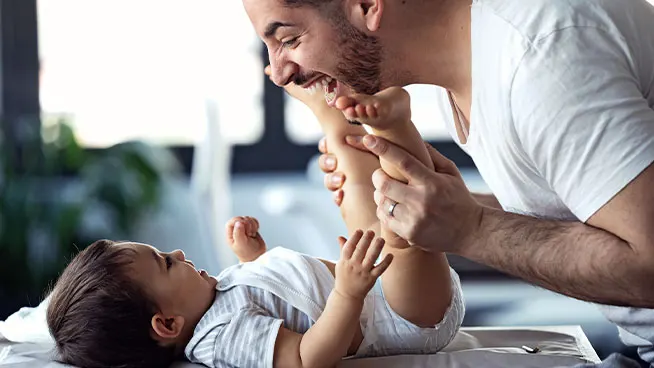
{"x": 315, "y": 49}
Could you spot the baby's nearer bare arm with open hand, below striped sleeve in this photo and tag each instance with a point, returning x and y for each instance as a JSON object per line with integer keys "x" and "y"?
{"x": 331, "y": 337}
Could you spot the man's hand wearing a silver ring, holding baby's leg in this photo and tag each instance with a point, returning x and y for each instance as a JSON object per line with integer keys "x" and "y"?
{"x": 434, "y": 210}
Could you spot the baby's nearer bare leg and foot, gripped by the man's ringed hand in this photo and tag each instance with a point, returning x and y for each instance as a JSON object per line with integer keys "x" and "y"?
{"x": 417, "y": 285}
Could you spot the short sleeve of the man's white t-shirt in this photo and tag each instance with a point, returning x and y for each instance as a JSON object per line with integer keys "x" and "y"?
{"x": 581, "y": 116}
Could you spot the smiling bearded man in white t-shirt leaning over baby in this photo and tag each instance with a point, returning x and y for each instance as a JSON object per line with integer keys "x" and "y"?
{"x": 554, "y": 101}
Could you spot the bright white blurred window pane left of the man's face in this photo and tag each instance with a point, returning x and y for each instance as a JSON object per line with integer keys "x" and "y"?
{"x": 147, "y": 69}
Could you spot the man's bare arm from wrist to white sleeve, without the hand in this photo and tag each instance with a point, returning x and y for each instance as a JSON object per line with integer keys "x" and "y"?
{"x": 610, "y": 260}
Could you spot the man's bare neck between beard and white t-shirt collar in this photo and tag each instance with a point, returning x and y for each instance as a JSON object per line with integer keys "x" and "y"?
{"x": 435, "y": 45}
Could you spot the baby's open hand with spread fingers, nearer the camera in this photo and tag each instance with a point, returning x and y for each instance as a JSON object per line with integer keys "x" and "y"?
{"x": 356, "y": 272}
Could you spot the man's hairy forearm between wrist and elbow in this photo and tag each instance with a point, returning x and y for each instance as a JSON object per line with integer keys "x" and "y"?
{"x": 567, "y": 257}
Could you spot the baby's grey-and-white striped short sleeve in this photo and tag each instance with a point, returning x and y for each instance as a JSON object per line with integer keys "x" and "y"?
{"x": 248, "y": 340}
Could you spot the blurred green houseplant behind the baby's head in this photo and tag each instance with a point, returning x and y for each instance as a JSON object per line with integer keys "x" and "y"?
{"x": 56, "y": 198}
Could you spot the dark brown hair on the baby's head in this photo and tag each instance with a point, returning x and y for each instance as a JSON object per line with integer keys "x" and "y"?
{"x": 99, "y": 317}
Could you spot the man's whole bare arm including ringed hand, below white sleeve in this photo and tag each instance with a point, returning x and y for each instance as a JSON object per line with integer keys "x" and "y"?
{"x": 609, "y": 260}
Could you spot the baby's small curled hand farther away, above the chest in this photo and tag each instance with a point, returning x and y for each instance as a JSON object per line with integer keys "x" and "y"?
{"x": 244, "y": 238}
